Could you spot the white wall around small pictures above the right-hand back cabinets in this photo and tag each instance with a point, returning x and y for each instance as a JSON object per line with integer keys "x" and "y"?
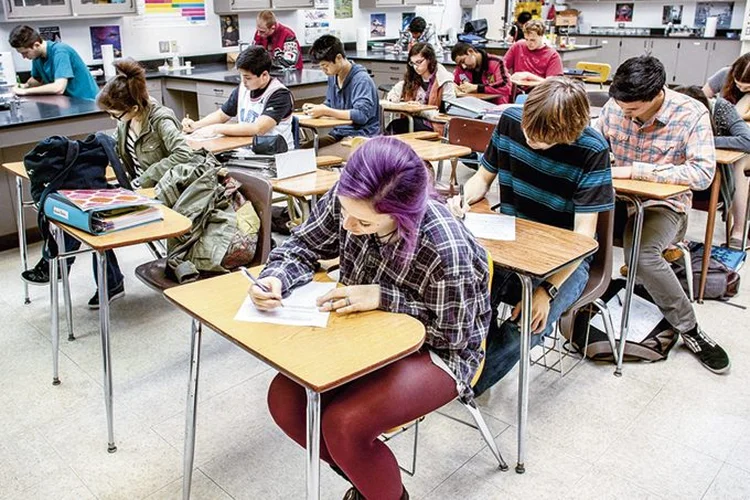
{"x": 646, "y": 14}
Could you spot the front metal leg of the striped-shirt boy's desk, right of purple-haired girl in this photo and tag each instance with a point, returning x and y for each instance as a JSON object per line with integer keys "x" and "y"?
{"x": 523, "y": 373}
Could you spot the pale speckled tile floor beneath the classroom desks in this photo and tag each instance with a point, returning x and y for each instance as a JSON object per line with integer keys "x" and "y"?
{"x": 667, "y": 430}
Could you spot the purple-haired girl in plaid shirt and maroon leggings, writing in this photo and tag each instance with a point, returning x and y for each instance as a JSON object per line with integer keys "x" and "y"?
{"x": 401, "y": 251}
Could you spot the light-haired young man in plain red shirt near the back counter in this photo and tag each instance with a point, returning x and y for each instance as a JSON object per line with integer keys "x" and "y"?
{"x": 530, "y": 60}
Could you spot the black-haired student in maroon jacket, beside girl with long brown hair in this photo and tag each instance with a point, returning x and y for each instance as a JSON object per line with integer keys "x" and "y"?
{"x": 478, "y": 71}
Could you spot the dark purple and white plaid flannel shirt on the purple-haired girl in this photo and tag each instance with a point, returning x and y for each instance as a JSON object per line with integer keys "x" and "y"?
{"x": 443, "y": 283}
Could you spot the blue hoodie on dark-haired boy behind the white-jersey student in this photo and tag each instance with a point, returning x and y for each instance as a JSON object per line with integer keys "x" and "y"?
{"x": 360, "y": 96}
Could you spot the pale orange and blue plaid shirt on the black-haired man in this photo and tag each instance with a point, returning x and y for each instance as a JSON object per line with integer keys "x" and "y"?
{"x": 675, "y": 147}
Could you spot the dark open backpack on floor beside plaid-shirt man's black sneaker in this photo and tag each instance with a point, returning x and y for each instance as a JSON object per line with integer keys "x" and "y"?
{"x": 654, "y": 347}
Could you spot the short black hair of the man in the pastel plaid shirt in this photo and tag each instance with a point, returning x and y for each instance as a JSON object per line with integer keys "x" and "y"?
{"x": 638, "y": 79}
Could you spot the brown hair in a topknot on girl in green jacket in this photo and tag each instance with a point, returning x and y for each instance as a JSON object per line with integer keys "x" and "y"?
{"x": 126, "y": 89}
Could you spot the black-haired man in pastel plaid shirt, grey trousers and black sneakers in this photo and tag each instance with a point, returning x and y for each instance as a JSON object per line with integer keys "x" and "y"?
{"x": 659, "y": 135}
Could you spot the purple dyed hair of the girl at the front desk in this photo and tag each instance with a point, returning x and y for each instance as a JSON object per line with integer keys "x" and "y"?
{"x": 388, "y": 173}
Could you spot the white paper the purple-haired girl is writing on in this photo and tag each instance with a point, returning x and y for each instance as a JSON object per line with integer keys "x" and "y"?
{"x": 299, "y": 308}
